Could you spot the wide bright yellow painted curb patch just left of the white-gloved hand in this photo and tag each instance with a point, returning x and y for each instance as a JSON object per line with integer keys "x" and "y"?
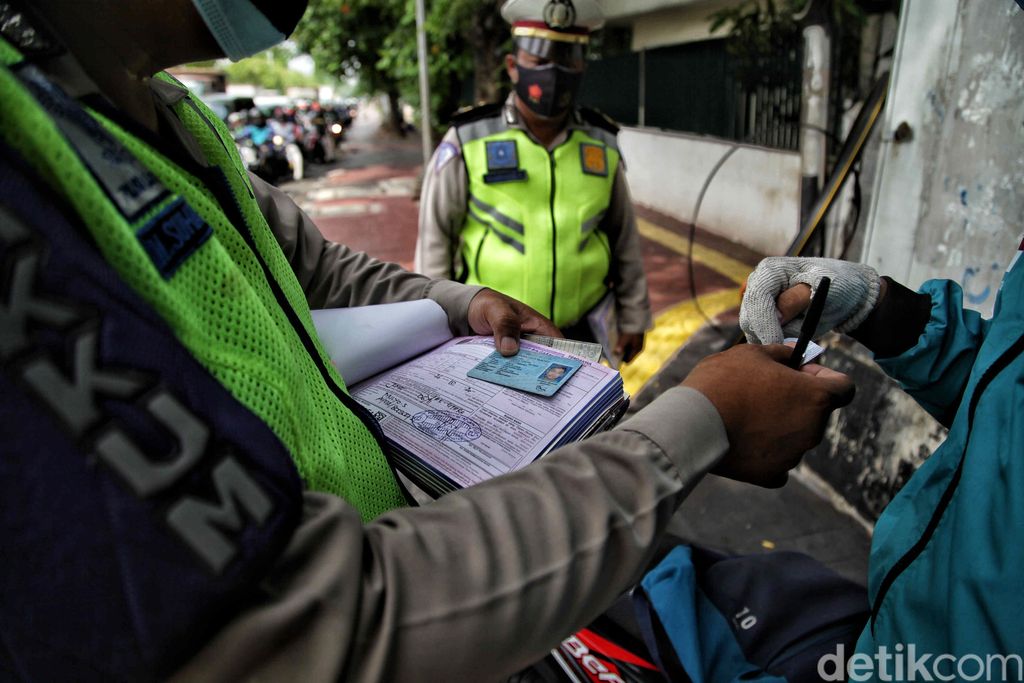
{"x": 672, "y": 329}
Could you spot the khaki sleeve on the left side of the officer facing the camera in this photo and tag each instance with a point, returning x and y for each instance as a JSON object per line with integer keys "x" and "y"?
{"x": 443, "y": 209}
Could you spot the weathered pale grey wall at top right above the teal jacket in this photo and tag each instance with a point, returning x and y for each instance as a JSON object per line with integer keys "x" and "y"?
{"x": 950, "y": 202}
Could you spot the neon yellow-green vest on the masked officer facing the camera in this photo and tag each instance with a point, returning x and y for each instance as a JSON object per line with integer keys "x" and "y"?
{"x": 534, "y": 218}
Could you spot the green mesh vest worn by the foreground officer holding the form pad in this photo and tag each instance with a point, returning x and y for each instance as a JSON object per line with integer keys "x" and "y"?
{"x": 235, "y": 304}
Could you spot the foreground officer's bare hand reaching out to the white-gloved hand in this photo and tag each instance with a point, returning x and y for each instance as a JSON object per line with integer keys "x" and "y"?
{"x": 773, "y": 415}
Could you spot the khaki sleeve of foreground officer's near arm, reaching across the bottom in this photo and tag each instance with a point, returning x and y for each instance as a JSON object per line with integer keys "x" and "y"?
{"x": 485, "y": 581}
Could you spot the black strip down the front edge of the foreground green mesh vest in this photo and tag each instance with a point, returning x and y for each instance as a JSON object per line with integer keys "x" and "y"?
{"x": 354, "y": 406}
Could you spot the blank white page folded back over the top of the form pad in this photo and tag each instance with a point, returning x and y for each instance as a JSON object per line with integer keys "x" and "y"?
{"x": 367, "y": 340}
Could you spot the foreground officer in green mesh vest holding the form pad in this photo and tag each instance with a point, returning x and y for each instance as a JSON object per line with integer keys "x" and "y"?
{"x": 188, "y": 488}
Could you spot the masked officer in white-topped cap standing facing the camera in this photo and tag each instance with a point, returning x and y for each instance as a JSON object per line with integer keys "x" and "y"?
{"x": 530, "y": 197}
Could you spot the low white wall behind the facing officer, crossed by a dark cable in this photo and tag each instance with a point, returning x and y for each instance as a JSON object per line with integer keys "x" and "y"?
{"x": 753, "y": 200}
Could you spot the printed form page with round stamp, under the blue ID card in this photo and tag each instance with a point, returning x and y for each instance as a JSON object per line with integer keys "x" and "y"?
{"x": 468, "y": 430}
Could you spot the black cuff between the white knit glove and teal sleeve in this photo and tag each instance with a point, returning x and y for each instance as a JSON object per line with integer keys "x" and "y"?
{"x": 897, "y": 323}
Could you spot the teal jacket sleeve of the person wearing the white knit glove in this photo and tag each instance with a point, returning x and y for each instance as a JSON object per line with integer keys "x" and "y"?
{"x": 936, "y": 370}
